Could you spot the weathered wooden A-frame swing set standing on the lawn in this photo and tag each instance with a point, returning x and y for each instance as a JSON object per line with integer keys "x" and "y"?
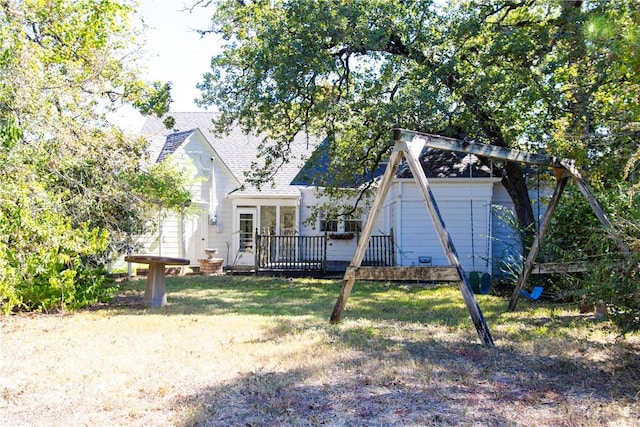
{"x": 409, "y": 144}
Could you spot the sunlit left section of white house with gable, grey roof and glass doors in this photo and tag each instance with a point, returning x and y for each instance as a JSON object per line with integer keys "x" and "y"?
{"x": 228, "y": 213}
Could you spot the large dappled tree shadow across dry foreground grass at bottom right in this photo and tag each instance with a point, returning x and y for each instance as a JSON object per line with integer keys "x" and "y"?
{"x": 427, "y": 382}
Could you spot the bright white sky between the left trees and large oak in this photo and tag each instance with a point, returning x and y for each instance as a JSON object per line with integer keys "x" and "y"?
{"x": 174, "y": 52}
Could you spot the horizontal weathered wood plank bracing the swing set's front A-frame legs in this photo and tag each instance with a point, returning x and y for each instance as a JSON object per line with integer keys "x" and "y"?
{"x": 436, "y": 274}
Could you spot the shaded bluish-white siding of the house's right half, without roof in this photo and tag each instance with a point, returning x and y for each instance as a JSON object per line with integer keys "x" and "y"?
{"x": 405, "y": 212}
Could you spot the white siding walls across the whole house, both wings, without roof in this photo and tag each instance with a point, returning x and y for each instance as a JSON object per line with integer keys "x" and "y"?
{"x": 403, "y": 211}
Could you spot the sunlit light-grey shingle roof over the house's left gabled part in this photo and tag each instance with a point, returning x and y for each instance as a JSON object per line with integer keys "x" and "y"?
{"x": 237, "y": 150}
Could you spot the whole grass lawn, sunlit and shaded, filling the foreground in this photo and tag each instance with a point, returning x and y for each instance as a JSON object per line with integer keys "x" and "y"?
{"x": 255, "y": 351}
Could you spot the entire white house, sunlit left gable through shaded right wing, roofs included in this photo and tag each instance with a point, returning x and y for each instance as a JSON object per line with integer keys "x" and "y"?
{"x": 229, "y": 215}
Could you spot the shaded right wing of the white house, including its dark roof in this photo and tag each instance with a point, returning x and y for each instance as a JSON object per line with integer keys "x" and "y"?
{"x": 464, "y": 191}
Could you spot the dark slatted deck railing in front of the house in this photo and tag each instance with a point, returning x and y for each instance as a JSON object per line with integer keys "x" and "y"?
{"x": 309, "y": 253}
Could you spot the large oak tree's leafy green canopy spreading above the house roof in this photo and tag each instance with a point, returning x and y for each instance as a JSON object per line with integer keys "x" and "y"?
{"x": 352, "y": 70}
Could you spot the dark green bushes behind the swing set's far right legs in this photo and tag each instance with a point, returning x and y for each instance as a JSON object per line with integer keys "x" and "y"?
{"x": 576, "y": 235}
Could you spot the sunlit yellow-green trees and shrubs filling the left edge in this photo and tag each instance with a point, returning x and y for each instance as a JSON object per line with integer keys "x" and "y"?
{"x": 67, "y": 176}
